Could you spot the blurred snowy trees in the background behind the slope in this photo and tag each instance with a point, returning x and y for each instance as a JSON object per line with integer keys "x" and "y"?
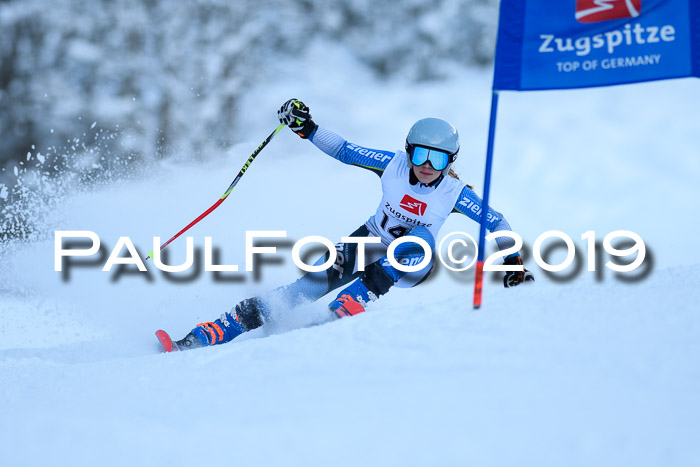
{"x": 144, "y": 79}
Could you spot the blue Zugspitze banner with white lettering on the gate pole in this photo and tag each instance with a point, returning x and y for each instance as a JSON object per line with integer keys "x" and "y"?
{"x": 559, "y": 44}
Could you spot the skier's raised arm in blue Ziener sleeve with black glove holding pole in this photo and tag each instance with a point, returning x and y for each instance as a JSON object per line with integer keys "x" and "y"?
{"x": 295, "y": 114}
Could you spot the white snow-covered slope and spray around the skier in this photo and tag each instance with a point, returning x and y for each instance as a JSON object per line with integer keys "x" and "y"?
{"x": 586, "y": 372}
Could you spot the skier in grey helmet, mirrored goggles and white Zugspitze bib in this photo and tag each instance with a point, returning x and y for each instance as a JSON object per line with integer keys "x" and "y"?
{"x": 419, "y": 192}
